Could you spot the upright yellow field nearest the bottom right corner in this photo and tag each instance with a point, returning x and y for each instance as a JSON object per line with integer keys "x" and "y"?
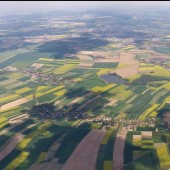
{"x": 163, "y": 155}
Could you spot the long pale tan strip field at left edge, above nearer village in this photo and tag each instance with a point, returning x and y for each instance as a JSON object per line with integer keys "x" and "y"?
{"x": 14, "y": 103}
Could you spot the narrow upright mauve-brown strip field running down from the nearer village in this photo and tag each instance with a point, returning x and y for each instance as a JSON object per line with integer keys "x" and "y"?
{"x": 118, "y": 151}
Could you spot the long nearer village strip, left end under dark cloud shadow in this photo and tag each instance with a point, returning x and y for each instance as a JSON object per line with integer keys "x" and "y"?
{"x": 47, "y": 111}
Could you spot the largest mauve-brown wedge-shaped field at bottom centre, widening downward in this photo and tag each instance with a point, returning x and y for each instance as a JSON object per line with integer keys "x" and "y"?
{"x": 85, "y": 155}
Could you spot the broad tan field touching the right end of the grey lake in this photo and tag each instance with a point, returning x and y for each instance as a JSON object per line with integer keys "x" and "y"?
{"x": 127, "y": 71}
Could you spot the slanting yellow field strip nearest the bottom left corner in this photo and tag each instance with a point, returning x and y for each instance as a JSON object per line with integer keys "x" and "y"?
{"x": 18, "y": 160}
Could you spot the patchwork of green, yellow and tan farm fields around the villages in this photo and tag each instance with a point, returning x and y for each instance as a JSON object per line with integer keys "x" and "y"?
{"x": 40, "y": 142}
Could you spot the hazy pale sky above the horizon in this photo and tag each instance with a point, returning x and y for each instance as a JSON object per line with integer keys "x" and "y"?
{"x": 10, "y": 7}
